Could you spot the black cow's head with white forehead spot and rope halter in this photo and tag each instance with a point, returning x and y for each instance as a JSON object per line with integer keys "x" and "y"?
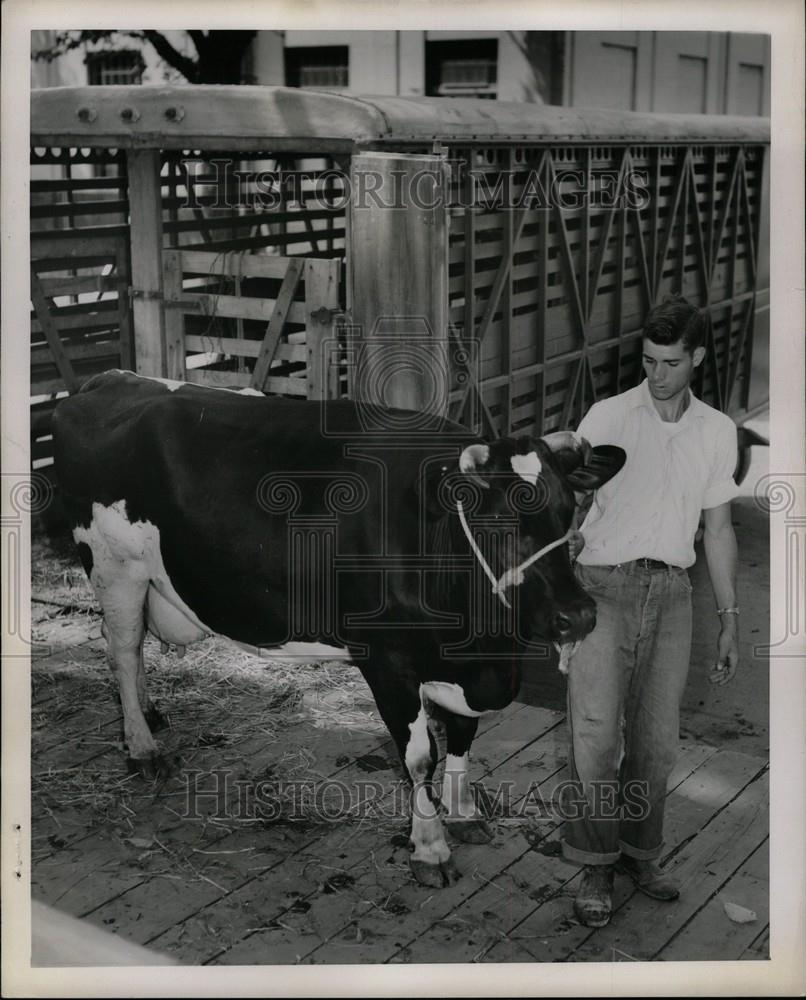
{"x": 530, "y": 483}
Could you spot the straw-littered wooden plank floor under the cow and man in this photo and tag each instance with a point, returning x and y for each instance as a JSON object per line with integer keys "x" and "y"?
{"x": 236, "y": 885}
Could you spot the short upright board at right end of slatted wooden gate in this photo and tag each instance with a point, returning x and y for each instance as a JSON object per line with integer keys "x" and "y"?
{"x": 321, "y": 304}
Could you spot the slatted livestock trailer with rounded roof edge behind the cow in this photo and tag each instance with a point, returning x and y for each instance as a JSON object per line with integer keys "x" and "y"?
{"x": 487, "y": 260}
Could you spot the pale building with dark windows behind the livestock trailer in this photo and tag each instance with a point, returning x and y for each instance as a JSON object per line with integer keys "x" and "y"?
{"x": 685, "y": 72}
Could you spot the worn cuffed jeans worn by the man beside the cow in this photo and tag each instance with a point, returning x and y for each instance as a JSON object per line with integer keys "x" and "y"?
{"x": 625, "y": 684}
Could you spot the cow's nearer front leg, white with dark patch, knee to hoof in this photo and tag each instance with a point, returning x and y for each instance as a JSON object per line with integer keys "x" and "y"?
{"x": 430, "y": 859}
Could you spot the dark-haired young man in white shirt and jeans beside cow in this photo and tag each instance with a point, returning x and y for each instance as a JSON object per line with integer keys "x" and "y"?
{"x": 626, "y": 681}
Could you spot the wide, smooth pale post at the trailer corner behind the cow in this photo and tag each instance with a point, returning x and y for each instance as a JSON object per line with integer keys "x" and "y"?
{"x": 399, "y": 269}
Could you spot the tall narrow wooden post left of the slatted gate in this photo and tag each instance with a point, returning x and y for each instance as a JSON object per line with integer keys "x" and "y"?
{"x": 145, "y": 209}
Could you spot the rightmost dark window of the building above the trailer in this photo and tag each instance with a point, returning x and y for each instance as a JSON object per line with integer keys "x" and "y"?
{"x": 462, "y": 68}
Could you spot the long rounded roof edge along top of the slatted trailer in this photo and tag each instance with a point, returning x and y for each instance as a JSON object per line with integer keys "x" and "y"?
{"x": 289, "y": 119}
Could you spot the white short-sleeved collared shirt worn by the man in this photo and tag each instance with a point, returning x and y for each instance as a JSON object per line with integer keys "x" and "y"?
{"x": 651, "y": 509}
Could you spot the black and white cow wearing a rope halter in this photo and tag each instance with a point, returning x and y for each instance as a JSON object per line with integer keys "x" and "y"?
{"x": 438, "y": 558}
